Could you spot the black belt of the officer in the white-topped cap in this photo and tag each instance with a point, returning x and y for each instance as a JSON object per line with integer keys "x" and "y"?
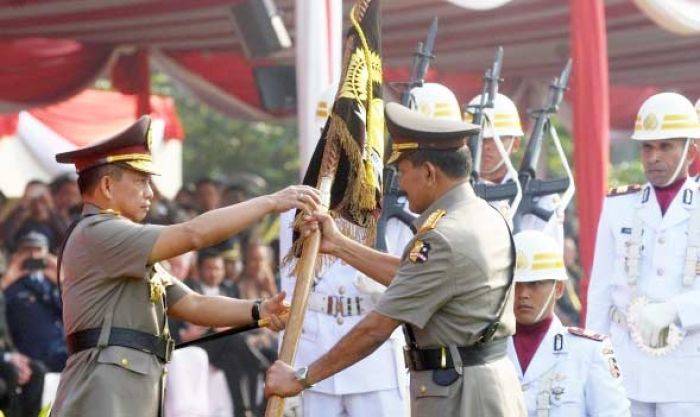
{"x": 440, "y": 358}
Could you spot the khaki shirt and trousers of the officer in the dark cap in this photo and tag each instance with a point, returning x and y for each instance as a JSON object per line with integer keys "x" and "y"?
{"x": 107, "y": 282}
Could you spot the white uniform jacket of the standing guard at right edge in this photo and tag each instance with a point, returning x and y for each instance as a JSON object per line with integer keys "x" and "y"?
{"x": 662, "y": 262}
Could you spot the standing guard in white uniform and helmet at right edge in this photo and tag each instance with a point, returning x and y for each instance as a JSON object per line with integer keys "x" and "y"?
{"x": 644, "y": 290}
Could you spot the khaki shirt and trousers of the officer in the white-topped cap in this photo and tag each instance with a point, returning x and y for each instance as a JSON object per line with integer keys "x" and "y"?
{"x": 449, "y": 288}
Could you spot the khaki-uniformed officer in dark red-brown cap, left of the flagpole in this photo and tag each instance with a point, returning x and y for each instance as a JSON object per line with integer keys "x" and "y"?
{"x": 116, "y": 294}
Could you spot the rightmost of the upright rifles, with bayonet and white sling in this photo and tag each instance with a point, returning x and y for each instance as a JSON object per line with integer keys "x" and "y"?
{"x": 532, "y": 187}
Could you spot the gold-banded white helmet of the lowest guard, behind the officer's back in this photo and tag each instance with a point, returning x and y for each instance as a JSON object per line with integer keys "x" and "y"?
{"x": 538, "y": 257}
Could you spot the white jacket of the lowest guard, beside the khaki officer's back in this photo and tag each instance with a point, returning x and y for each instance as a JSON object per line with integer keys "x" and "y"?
{"x": 571, "y": 376}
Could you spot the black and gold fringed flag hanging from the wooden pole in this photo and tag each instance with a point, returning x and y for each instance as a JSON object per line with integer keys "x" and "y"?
{"x": 356, "y": 123}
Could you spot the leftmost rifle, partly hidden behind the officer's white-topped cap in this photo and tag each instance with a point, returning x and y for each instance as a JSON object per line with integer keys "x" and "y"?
{"x": 391, "y": 207}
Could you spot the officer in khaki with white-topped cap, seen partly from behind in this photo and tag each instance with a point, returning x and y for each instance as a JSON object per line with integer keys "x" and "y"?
{"x": 451, "y": 288}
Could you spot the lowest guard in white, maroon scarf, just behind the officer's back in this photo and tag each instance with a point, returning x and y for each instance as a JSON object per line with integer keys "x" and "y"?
{"x": 564, "y": 372}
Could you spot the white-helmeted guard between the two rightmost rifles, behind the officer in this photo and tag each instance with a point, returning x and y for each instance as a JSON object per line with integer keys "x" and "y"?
{"x": 503, "y": 121}
